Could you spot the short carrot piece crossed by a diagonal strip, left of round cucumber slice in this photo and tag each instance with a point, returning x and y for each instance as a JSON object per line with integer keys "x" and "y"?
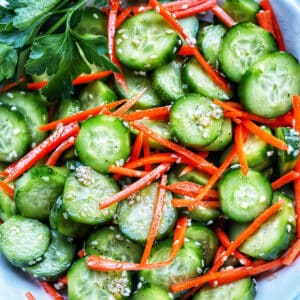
{"x": 189, "y": 189}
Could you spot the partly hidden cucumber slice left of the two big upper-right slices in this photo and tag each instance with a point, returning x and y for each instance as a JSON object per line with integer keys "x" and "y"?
{"x": 209, "y": 42}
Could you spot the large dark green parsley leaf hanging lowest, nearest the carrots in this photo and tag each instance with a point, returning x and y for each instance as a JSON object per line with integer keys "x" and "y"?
{"x": 56, "y": 54}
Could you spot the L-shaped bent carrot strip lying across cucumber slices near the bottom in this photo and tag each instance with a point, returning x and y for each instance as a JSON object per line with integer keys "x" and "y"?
{"x": 99, "y": 263}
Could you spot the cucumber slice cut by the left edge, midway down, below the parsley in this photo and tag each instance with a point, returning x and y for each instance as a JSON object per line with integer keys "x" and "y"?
{"x": 15, "y": 135}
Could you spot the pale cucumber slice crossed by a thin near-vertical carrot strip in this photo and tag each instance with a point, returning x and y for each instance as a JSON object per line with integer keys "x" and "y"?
{"x": 135, "y": 214}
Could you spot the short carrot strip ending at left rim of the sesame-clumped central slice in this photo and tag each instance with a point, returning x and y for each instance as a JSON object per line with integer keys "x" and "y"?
{"x": 157, "y": 113}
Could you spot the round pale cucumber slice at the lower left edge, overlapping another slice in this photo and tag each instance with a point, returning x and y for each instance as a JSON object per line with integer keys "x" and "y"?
{"x": 23, "y": 241}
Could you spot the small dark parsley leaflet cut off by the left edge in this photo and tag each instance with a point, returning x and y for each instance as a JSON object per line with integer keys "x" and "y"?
{"x": 8, "y": 61}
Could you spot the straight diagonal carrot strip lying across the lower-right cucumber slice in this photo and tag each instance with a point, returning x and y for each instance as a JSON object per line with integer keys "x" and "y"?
{"x": 250, "y": 230}
